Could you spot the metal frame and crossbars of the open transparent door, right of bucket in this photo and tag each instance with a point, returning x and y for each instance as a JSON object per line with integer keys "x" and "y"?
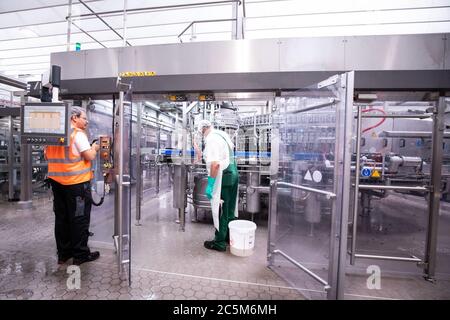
{"x": 342, "y": 185}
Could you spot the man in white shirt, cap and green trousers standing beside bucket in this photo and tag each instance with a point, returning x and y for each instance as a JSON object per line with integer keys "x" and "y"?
{"x": 223, "y": 182}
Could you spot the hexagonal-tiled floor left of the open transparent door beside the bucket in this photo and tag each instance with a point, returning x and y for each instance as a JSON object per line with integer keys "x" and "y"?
{"x": 28, "y": 268}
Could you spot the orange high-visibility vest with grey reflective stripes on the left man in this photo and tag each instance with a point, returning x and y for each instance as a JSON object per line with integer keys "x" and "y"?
{"x": 65, "y": 167}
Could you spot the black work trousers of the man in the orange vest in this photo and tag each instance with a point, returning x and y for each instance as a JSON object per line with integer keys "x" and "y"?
{"x": 72, "y": 206}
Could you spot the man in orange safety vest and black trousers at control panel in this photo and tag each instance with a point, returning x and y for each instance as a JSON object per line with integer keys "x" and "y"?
{"x": 69, "y": 171}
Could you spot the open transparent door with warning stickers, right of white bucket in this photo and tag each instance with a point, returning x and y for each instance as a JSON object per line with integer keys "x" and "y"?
{"x": 310, "y": 125}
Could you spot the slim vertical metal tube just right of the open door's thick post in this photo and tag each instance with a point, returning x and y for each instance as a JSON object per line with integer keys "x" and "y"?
{"x": 356, "y": 197}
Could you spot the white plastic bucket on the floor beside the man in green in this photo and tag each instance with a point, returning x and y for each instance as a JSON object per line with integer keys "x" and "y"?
{"x": 242, "y": 237}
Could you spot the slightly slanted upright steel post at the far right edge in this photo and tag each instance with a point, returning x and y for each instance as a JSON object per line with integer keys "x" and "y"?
{"x": 435, "y": 195}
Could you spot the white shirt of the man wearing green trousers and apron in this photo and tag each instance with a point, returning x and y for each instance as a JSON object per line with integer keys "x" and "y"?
{"x": 217, "y": 149}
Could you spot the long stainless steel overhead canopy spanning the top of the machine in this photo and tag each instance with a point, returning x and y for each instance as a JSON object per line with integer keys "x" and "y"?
{"x": 271, "y": 64}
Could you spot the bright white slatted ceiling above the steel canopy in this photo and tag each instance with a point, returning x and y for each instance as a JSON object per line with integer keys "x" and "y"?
{"x": 31, "y": 29}
